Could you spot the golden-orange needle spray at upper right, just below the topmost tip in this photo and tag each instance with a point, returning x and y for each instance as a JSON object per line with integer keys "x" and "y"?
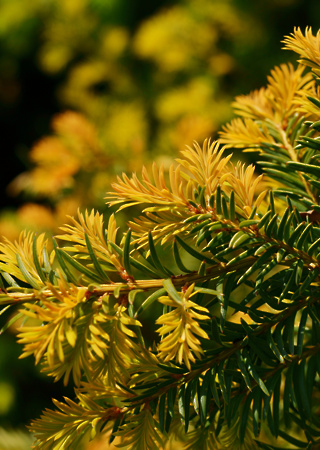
{"x": 271, "y": 122}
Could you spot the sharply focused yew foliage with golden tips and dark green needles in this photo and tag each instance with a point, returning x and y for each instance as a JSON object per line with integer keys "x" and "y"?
{"x": 200, "y": 322}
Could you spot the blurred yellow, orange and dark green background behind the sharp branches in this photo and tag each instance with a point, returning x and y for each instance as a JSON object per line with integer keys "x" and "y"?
{"x": 91, "y": 88}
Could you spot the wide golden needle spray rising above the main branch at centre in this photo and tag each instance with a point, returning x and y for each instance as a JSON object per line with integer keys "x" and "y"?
{"x": 203, "y": 183}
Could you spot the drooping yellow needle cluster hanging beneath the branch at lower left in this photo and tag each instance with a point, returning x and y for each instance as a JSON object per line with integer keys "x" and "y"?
{"x": 75, "y": 337}
